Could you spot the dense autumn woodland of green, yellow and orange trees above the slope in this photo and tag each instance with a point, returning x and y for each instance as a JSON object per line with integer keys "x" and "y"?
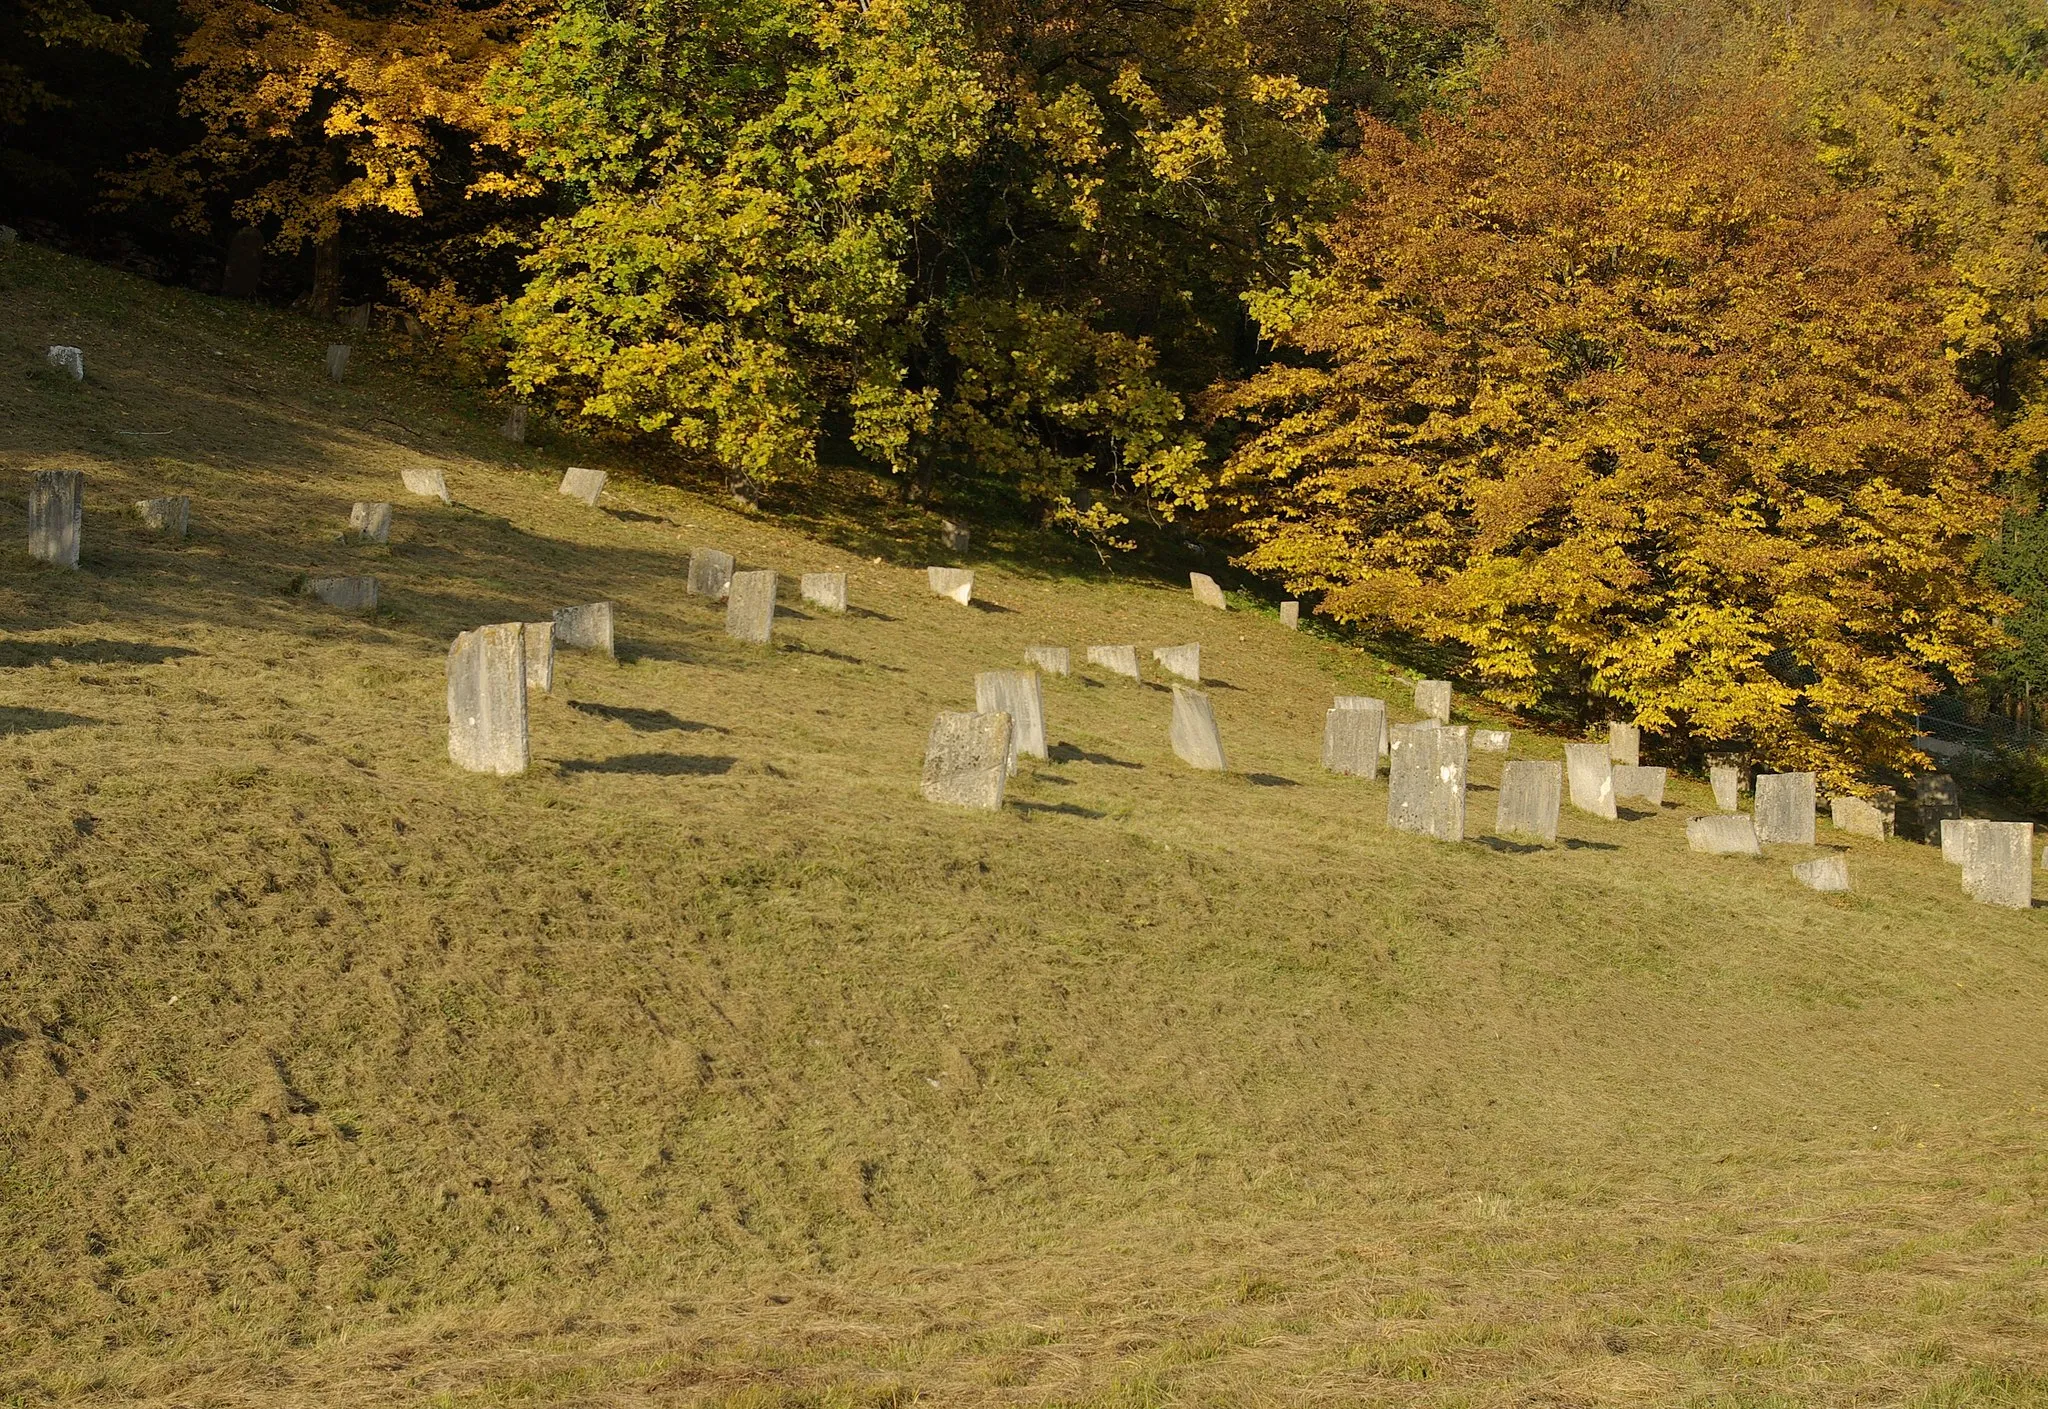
{"x": 1672, "y": 361}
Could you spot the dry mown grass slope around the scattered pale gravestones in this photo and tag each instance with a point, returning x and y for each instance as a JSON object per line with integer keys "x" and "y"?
{"x": 710, "y": 1066}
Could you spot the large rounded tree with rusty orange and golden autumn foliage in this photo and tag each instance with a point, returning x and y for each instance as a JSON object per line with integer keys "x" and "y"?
{"x": 1617, "y": 390}
